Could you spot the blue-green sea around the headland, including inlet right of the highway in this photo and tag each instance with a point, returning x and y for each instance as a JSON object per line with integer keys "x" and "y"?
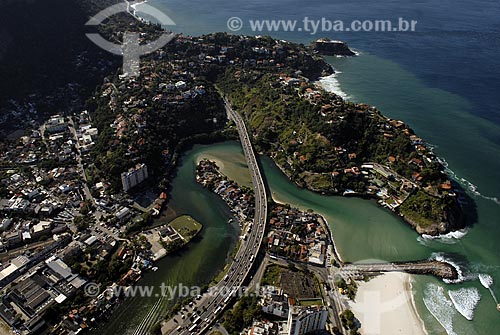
{"x": 441, "y": 79}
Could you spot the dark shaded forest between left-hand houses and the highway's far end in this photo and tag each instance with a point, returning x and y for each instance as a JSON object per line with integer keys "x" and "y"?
{"x": 169, "y": 127}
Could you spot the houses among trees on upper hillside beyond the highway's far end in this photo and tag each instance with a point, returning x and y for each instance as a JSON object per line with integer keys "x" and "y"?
{"x": 176, "y": 76}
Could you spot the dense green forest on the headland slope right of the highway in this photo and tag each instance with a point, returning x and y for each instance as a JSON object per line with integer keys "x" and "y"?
{"x": 287, "y": 125}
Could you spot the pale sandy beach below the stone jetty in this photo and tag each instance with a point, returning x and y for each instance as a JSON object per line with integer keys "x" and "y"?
{"x": 384, "y": 305}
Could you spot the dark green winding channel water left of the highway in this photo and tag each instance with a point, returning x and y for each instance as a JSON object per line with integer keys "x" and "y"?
{"x": 198, "y": 262}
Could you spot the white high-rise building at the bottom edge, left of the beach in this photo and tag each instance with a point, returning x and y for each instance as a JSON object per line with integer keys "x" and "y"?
{"x": 303, "y": 320}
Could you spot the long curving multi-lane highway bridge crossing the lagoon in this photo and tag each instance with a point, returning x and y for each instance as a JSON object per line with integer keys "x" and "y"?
{"x": 209, "y": 307}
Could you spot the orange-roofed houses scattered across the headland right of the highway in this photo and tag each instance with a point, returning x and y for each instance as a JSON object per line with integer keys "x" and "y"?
{"x": 382, "y": 181}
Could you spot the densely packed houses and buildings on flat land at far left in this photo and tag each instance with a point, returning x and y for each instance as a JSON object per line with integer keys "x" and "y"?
{"x": 42, "y": 192}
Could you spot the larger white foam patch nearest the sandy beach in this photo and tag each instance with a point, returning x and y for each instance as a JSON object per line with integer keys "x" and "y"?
{"x": 440, "y": 307}
